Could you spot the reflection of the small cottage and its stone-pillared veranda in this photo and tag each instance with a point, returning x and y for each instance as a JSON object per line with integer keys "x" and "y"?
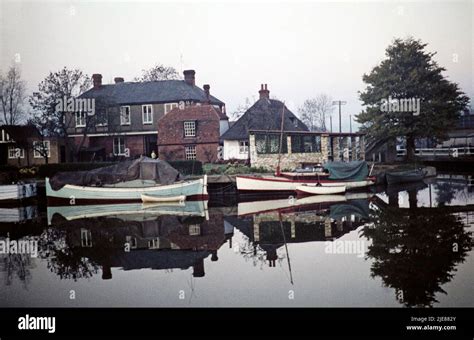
{"x": 269, "y": 230}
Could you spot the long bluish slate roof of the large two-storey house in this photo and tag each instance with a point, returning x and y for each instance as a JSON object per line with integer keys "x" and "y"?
{"x": 163, "y": 91}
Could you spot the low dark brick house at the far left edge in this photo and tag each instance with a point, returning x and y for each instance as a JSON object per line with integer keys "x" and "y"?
{"x": 22, "y": 145}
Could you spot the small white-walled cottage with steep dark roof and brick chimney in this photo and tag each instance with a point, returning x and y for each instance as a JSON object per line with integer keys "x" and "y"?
{"x": 265, "y": 114}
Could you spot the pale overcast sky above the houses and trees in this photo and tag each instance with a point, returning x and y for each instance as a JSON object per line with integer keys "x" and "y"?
{"x": 298, "y": 48}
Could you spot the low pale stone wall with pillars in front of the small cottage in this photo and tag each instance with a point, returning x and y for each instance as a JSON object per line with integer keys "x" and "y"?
{"x": 289, "y": 160}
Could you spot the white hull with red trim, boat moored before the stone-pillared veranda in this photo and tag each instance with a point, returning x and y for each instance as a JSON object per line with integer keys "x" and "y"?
{"x": 276, "y": 184}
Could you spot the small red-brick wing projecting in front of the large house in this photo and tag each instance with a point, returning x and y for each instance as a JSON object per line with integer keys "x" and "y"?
{"x": 190, "y": 133}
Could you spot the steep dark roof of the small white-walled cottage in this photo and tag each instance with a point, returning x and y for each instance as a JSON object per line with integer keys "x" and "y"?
{"x": 265, "y": 114}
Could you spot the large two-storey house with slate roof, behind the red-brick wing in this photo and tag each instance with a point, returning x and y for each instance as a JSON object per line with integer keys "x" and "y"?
{"x": 126, "y": 117}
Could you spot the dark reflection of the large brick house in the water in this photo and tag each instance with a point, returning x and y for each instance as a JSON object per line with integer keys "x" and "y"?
{"x": 145, "y": 240}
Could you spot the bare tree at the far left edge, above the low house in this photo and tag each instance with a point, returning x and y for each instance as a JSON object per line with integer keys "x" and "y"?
{"x": 12, "y": 96}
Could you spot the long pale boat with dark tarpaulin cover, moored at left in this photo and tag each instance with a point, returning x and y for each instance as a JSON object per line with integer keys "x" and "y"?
{"x": 125, "y": 182}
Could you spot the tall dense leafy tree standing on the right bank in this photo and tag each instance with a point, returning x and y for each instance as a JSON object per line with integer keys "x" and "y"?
{"x": 409, "y": 72}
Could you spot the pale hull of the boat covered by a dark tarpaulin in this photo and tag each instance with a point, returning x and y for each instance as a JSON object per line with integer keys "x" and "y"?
{"x": 128, "y": 191}
